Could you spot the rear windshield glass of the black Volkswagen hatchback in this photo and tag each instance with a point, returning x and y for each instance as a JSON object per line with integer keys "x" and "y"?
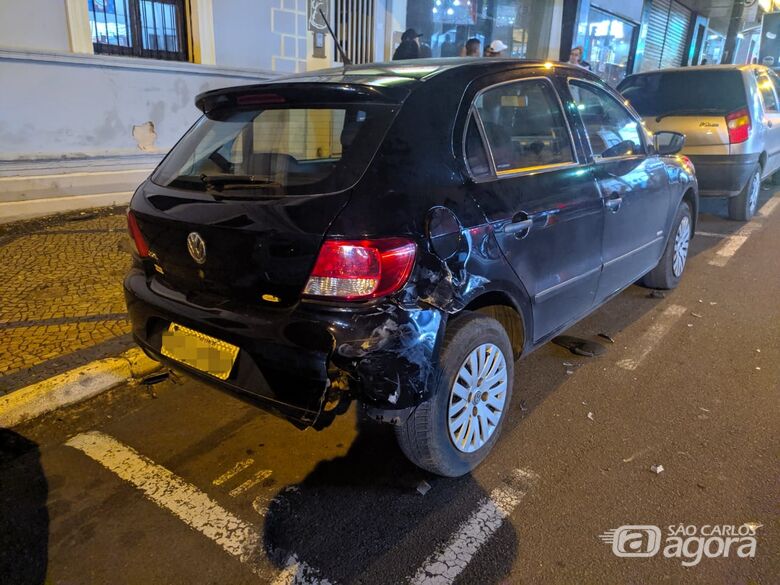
{"x": 276, "y": 151}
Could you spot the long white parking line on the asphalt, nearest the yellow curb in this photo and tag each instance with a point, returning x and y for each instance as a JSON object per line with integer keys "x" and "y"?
{"x": 196, "y": 509}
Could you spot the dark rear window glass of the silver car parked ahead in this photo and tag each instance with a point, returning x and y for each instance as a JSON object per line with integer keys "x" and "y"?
{"x": 685, "y": 92}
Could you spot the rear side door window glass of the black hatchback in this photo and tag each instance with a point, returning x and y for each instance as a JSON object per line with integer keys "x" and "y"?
{"x": 524, "y": 126}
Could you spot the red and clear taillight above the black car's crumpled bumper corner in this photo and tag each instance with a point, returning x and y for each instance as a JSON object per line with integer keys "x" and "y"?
{"x": 354, "y": 270}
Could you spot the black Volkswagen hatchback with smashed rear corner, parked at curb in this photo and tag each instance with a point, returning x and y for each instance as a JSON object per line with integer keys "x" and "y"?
{"x": 399, "y": 234}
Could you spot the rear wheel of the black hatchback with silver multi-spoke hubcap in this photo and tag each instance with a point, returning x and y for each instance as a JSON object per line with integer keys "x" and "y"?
{"x": 436, "y": 436}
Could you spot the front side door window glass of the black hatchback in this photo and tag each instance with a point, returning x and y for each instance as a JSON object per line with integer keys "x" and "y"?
{"x": 612, "y": 130}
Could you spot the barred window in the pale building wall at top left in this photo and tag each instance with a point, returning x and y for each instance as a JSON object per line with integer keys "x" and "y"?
{"x": 139, "y": 28}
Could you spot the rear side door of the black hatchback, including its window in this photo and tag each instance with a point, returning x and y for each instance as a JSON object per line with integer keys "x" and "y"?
{"x": 543, "y": 204}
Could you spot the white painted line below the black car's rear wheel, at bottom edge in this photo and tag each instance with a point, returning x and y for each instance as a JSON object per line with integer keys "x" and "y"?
{"x": 446, "y": 564}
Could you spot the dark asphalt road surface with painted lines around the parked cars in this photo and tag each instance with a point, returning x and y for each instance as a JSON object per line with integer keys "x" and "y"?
{"x": 186, "y": 484}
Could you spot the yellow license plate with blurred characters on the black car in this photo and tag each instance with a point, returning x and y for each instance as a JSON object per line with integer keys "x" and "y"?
{"x": 199, "y": 351}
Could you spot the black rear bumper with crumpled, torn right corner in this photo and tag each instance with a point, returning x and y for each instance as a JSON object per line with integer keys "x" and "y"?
{"x": 303, "y": 363}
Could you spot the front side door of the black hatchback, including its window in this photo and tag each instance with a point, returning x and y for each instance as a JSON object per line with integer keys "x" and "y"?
{"x": 634, "y": 187}
